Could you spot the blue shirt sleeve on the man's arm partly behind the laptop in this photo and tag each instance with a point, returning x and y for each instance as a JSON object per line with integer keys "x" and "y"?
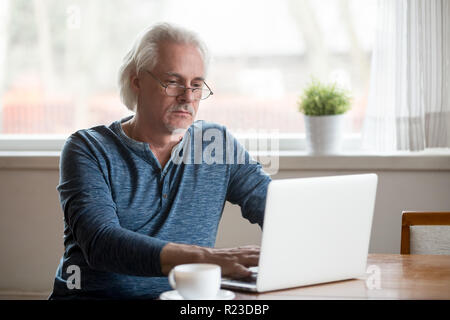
{"x": 248, "y": 184}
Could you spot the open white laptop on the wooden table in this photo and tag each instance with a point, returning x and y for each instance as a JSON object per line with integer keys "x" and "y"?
{"x": 315, "y": 230}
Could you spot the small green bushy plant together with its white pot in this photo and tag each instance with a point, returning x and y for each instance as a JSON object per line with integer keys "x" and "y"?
{"x": 324, "y": 107}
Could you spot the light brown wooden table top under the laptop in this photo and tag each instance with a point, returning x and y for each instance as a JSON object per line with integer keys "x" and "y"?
{"x": 390, "y": 276}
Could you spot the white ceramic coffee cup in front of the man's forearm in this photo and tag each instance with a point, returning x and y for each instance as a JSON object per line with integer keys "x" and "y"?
{"x": 196, "y": 281}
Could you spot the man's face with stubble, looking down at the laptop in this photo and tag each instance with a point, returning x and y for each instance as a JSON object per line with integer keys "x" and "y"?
{"x": 177, "y": 64}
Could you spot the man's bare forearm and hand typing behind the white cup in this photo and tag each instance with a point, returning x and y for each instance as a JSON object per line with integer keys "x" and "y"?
{"x": 233, "y": 261}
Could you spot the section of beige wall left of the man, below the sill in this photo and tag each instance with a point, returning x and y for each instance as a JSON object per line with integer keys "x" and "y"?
{"x": 31, "y": 229}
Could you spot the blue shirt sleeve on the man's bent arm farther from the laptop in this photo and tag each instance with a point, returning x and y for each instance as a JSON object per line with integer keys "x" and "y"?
{"x": 90, "y": 214}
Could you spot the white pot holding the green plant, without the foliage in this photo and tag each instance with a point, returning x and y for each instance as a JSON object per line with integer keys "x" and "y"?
{"x": 324, "y": 134}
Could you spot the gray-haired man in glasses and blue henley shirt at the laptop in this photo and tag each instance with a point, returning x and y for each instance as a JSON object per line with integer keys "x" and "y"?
{"x": 137, "y": 200}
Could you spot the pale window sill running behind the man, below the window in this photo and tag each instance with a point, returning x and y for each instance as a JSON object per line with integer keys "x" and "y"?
{"x": 295, "y": 160}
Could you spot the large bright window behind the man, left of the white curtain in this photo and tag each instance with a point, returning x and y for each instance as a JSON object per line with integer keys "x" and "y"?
{"x": 60, "y": 58}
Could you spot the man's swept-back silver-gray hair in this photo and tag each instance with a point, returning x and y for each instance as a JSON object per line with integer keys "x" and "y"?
{"x": 144, "y": 53}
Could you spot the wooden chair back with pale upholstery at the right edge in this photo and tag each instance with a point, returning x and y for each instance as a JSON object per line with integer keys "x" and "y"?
{"x": 425, "y": 239}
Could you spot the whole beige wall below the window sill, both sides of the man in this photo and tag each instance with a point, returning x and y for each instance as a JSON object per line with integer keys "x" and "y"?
{"x": 31, "y": 222}
